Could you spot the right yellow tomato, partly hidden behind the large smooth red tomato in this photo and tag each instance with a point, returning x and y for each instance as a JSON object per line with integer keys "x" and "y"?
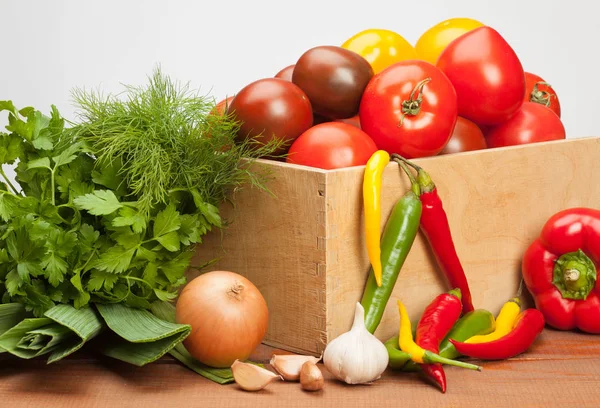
{"x": 436, "y": 39}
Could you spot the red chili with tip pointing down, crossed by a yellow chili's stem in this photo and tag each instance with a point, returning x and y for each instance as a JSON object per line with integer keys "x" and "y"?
{"x": 436, "y": 322}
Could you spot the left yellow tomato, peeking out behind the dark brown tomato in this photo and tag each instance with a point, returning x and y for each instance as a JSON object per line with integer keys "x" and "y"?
{"x": 381, "y": 48}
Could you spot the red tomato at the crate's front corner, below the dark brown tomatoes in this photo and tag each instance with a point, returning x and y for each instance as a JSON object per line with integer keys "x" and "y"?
{"x": 332, "y": 145}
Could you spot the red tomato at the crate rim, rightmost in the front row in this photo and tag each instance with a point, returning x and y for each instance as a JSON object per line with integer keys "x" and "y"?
{"x": 532, "y": 123}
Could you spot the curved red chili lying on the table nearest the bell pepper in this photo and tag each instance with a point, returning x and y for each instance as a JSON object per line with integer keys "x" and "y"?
{"x": 528, "y": 325}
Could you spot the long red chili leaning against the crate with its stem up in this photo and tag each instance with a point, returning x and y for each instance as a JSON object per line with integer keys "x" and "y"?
{"x": 435, "y": 227}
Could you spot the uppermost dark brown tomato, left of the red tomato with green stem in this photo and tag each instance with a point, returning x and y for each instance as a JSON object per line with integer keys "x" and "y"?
{"x": 334, "y": 80}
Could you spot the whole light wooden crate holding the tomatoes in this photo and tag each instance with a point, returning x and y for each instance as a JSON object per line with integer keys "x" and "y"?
{"x": 304, "y": 248}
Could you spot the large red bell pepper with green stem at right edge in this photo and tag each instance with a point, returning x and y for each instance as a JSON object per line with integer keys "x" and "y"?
{"x": 560, "y": 269}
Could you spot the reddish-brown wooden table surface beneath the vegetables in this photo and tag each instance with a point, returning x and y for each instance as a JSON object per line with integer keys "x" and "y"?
{"x": 561, "y": 369}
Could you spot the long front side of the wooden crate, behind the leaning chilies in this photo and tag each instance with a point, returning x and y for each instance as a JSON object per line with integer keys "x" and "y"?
{"x": 497, "y": 201}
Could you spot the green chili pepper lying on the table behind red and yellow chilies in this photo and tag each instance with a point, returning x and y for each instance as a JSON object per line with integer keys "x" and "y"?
{"x": 477, "y": 322}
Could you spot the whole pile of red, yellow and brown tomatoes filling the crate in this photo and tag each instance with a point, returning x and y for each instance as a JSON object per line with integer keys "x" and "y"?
{"x": 460, "y": 88}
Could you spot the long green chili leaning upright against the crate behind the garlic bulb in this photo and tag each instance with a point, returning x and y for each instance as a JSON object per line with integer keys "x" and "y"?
{"x": 396, "y": 241}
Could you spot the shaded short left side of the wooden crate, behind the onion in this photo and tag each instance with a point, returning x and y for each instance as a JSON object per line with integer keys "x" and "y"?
{"x": 278, "y": 240}
